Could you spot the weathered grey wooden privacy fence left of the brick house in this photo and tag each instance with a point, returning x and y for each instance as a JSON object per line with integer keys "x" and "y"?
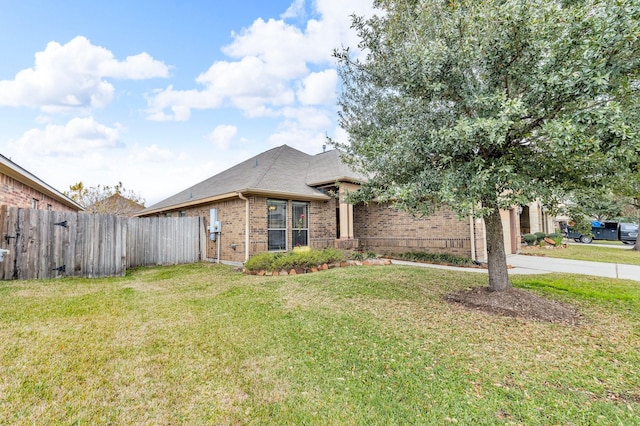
{"x": 48, "y": 244}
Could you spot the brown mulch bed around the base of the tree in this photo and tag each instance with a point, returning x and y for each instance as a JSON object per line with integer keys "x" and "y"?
{"x": 517, "y": 303}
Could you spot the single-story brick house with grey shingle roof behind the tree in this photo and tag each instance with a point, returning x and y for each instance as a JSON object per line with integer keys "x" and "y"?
{"x": 283, "y": 198}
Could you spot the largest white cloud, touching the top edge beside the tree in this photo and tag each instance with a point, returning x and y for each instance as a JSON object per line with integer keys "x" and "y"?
{"x": 272, "y": 60}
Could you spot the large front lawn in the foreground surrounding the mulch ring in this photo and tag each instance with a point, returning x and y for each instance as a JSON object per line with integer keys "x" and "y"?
{"x": 199, "y": 344}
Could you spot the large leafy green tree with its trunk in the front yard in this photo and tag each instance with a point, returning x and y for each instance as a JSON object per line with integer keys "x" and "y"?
{"x": 484, "y": 105}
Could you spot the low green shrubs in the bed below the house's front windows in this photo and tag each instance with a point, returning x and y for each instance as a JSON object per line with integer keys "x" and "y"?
{"x": 293, "y": 260}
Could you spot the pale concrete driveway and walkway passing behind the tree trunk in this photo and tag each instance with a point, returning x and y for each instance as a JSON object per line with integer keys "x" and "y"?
{"x": 543, "y": 265}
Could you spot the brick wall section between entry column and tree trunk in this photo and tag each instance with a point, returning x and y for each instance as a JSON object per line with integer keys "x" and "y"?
{"x": 385, "y": 230}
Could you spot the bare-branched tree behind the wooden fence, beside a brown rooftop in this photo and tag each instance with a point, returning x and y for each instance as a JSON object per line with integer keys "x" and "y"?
{"x": 106, "y": 199}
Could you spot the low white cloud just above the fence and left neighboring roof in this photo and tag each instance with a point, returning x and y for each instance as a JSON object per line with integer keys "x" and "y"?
{"x": 74, "y": 139}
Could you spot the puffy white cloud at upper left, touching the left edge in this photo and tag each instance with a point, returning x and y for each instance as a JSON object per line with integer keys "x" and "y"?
{"x": 71, "y": 76}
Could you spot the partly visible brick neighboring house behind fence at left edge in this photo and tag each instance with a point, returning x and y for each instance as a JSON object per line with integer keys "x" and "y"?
{"x": 20, "y": 188}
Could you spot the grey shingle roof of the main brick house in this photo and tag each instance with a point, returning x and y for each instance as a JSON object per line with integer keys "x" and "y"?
{"x": 281, "y": 171}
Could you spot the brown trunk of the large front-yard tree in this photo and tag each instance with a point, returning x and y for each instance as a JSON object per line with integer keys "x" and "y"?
{"x": 496, "y": 257}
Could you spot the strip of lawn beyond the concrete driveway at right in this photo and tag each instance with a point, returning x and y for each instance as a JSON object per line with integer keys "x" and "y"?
{"x": 588, "y": 252}
